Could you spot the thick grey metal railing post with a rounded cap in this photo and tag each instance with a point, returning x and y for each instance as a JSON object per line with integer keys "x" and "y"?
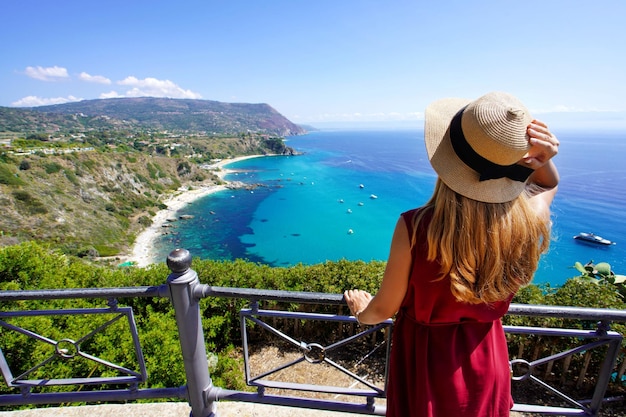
{"x": 182, "y": 281}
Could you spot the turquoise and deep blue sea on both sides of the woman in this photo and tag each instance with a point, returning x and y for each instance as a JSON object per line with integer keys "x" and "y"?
{"x": 341, "y": 198}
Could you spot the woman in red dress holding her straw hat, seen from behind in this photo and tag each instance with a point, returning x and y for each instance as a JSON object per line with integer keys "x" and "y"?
{"x": 456, "y": 263}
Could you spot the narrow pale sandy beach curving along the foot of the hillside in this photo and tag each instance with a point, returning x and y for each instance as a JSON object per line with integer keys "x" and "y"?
{"x": 142, "y": 251}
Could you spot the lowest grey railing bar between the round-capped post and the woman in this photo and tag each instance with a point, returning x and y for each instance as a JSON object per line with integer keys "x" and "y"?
{"x": 312, "y": 404}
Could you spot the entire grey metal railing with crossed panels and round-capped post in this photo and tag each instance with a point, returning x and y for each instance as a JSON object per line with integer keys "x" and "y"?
{"x": 185, "y": 291}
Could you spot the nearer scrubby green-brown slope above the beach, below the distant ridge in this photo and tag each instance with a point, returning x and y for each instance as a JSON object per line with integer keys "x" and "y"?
{"x": 93, "y": 200}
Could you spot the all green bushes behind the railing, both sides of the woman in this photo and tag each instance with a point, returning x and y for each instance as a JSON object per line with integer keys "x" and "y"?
{"x": 35, "y": 266}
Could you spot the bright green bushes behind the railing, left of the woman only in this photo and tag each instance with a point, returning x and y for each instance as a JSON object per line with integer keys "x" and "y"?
{"x": 35, "y": 266}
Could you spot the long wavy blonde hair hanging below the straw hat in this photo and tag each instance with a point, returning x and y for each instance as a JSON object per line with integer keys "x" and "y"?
{"x": 489, "y": 250}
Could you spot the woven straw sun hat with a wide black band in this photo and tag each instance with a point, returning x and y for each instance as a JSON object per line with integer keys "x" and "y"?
{"x": 474, "y": 146}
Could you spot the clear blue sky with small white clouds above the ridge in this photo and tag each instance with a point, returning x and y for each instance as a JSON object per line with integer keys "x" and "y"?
{"x": 321, "y": 62}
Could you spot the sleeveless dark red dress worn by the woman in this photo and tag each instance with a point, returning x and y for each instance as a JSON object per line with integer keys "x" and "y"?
{"x": 448, "y": 358}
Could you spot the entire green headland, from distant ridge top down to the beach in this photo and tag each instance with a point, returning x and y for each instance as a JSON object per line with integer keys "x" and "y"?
{"x": 92, "y": 174}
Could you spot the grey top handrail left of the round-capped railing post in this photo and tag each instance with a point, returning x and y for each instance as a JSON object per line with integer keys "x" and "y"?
{"x": 67, "y": 293}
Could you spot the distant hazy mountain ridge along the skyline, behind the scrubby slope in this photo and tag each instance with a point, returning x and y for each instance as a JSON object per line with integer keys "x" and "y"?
{"x": 162, "y": 114}
